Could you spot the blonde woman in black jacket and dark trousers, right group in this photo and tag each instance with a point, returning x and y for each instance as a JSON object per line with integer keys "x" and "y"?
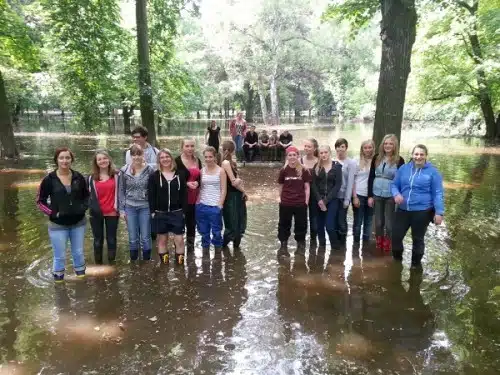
{"x": 326, "y": 183}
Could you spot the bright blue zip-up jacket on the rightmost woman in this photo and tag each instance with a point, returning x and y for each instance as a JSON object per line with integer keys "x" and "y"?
{"x": 421, "y": 188}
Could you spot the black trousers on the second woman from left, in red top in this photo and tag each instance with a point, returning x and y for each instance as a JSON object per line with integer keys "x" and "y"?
{"x": 98, "y": 223}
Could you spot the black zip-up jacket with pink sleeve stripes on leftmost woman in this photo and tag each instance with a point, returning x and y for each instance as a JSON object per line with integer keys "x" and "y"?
{"x": 63, "y": 208}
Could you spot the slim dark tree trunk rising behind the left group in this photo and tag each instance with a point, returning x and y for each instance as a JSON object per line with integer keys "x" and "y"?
{"x": 145, "y": 89}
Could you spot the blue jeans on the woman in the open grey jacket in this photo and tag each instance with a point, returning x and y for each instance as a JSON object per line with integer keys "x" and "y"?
{"x": 139, "y": 231}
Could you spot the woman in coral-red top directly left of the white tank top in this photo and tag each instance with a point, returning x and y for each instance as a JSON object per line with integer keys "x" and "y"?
{"x": 189, "y": 164}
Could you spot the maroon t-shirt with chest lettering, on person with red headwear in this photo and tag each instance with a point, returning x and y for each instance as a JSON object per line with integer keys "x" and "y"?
{"x": 293, "y": 193}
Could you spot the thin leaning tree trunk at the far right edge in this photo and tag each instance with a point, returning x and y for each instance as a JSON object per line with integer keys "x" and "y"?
{"x": 484, "y": 90}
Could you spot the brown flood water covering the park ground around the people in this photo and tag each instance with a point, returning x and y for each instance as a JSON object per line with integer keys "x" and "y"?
{"x": 246, "y": 313}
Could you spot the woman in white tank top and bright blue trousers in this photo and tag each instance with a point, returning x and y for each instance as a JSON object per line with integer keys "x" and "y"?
{"x": 210, "y": 202}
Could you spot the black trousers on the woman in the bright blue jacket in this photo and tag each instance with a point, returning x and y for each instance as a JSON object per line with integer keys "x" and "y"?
{"x": 418, "y": 221}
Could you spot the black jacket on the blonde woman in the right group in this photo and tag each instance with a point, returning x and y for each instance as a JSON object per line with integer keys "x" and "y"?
{"x": 325, "y": 186}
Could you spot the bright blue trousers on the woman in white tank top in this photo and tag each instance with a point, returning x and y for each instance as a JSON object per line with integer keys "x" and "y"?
{"x": 209, "y": 219}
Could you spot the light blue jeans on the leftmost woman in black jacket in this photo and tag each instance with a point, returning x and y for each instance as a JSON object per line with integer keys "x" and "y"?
{"x": 59, "y": 239}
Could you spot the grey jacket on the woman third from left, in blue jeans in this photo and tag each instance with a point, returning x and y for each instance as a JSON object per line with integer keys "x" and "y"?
{"x": 133, "y": 190}
